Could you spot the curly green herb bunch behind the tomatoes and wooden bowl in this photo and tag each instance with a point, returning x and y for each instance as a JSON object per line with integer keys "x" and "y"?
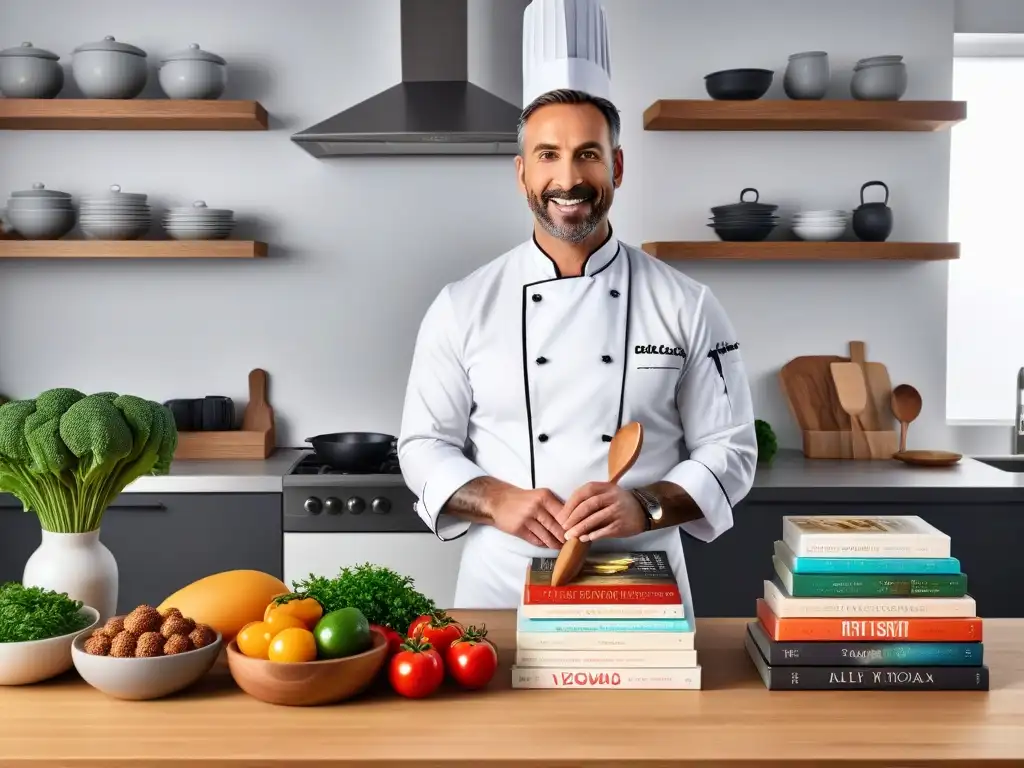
{"x": 385, "y": 598}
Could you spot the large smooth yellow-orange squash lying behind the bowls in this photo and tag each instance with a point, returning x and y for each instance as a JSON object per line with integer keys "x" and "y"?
{"x": 228, "y": 602}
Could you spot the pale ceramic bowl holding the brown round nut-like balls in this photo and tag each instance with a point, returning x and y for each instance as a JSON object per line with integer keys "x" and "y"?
{"x": 142, "y": 679}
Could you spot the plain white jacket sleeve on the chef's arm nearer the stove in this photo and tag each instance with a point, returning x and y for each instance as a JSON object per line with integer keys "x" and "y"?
{"x": 436, "y": 421}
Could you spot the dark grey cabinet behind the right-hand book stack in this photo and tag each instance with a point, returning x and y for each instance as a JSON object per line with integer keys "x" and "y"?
{"x": 987, "y": 529}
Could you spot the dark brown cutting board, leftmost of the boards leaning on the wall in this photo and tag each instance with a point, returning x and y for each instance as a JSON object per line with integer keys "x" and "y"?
{"x": 808, "y": 388}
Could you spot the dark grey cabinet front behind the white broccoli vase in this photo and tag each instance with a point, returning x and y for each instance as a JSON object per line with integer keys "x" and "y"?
{"x": 163, "y": 542}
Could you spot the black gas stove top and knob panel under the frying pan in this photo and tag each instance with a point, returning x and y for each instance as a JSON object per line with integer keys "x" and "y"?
{"x": 321, "y": 499}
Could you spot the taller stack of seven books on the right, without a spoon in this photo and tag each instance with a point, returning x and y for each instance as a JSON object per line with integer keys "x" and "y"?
{"x": 867, "y": 603}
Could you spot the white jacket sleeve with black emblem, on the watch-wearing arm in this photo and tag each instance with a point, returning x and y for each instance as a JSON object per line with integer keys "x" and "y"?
{"x": 717, "y": 415}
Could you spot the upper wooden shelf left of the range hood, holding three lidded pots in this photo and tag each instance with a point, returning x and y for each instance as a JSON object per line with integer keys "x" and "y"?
{"x": 132, "y": 115}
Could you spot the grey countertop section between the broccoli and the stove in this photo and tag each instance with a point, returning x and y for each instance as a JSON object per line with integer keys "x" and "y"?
{"x": 223, "y": 476}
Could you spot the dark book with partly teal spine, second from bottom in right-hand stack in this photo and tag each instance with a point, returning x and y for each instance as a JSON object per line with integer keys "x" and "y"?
{"x": 857, "y": 654}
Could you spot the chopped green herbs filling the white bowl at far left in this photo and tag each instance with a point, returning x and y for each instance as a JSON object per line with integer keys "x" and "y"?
{"x": 37, "y": 614}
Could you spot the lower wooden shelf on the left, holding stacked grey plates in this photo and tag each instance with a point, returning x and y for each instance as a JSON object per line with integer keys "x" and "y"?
{"x": 132, "y": 249}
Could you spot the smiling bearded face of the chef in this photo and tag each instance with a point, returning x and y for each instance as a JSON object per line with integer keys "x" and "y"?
{"x": 569, "y": 169}
